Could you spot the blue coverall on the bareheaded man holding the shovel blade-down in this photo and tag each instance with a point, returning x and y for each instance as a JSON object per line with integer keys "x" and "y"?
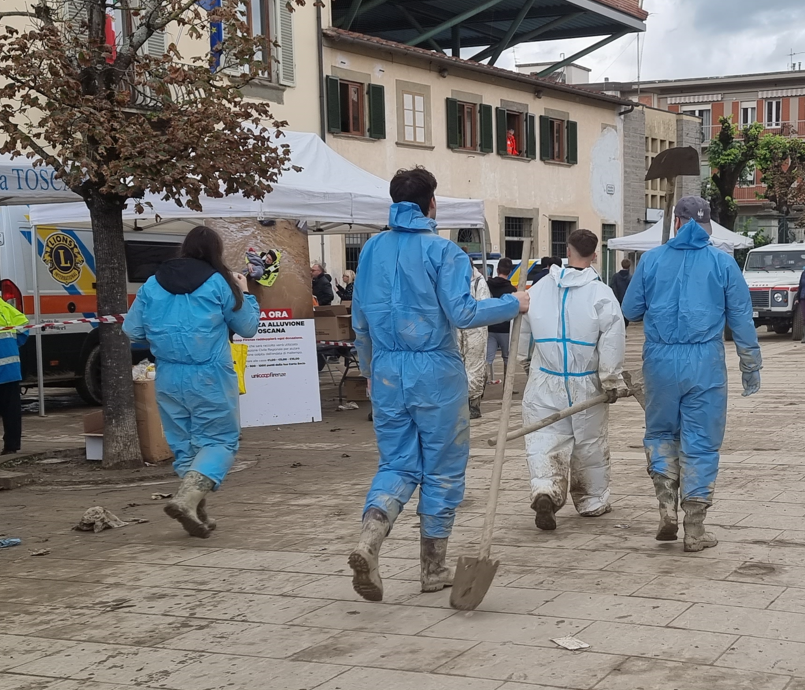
{"x": 412, "y": 292}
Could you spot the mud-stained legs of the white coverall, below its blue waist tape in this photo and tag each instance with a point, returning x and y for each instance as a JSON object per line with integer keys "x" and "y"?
{"x": 573, "y": 452}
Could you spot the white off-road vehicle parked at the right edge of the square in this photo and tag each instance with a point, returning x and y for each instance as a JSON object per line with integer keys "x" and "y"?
{"x": 772, "y": 274}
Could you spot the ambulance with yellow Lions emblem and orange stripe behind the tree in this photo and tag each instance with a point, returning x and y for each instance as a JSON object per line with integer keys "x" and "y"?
{"x": 63, "y": 266}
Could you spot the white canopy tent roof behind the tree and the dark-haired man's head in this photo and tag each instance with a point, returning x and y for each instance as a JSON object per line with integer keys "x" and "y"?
{"x": 328, "y": 190}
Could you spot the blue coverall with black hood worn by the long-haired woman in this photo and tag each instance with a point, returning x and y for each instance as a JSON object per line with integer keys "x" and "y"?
{"x": 185, "y": 313}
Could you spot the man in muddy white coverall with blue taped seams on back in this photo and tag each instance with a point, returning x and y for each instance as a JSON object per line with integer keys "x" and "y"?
{"x": 577, "y": 327}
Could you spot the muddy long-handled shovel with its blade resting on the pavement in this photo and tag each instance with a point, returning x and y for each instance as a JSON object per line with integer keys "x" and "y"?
{"x": 474, "y": 575}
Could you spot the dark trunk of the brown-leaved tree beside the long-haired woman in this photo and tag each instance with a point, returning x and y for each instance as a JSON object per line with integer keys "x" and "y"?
{"x": 121, "y": 448}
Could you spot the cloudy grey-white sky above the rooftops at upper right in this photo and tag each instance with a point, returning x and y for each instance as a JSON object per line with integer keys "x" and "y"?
{"x": 691, "y": 38}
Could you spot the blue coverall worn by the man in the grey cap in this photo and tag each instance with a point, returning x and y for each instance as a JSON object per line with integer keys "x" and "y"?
{"x": 684, "y": 291}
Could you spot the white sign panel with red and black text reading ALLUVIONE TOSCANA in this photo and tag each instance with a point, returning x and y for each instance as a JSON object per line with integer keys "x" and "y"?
{"x": 282, "y": 376}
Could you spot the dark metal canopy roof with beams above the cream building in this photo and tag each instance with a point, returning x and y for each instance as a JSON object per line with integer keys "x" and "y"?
{"x": 496, "y": 24}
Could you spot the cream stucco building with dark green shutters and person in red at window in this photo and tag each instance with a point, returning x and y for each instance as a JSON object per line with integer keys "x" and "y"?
{"x": 389, "y": 104}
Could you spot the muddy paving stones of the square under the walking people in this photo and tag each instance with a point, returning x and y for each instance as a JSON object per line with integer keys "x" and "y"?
{"x": 266, "y": 602}
